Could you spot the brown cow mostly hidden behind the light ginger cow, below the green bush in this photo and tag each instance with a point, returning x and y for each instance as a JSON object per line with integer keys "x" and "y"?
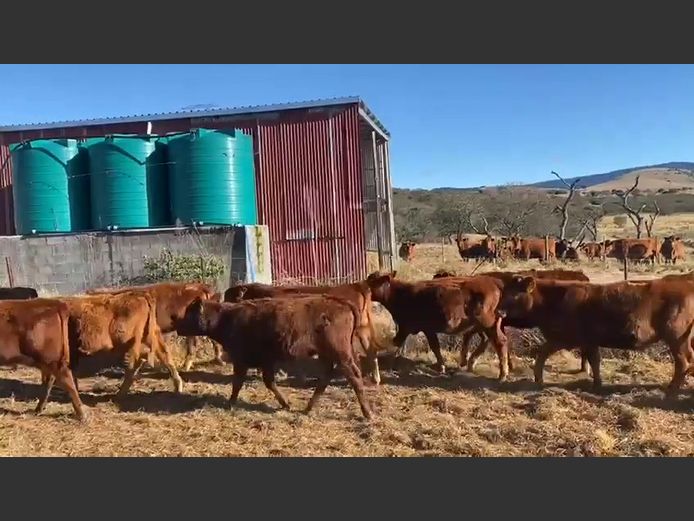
{"x": 172, "y": 299}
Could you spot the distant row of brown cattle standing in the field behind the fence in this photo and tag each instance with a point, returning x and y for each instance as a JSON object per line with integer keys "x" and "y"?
{"x": 486, "y": 247}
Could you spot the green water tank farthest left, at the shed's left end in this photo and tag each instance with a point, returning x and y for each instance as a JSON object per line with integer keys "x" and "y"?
{"x": 48, "y": 187}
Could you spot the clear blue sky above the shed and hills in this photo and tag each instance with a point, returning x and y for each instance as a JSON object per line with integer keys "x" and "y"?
{"x": 452, "y": 125}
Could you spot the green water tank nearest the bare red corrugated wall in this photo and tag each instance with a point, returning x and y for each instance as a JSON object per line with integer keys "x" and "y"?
{"x": 212, "y": 178}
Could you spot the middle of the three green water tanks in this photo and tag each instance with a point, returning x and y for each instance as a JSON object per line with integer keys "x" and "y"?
{"x": 129, "y": 182}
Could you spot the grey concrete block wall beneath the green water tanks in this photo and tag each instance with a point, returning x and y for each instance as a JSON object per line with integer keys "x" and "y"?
{"x": 66, "y": 264}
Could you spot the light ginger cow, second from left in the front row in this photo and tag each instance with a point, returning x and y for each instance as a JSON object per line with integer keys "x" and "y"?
{"x": 121, "y": 323}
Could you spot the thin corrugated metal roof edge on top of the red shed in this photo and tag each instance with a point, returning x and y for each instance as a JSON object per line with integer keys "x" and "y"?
{"x": 231, "y": 111}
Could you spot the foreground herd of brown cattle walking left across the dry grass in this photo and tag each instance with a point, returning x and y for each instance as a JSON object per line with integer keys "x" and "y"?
{"x": 263, "y": 326}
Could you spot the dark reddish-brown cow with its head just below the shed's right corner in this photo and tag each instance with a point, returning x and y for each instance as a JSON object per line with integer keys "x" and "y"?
{"x": 449, "y": 306}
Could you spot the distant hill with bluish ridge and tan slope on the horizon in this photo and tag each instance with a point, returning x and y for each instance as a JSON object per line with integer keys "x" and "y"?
{"x": 678, "y": 175}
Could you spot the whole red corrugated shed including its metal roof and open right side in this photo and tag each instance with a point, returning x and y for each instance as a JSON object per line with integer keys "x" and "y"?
{"x": 318, "y": 191}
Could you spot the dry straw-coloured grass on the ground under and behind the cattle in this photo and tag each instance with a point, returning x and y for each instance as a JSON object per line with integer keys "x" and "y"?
{"x": 418, "y": 412}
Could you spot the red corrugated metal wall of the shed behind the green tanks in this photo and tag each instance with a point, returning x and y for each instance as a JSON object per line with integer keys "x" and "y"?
{"x": 310, "y": 186}
